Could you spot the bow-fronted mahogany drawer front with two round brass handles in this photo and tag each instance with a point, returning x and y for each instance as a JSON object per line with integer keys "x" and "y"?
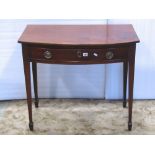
{"x": 78, "y": 55}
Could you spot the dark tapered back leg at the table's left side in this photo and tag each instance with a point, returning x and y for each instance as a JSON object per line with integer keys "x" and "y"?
{"x": 34, "y": 71}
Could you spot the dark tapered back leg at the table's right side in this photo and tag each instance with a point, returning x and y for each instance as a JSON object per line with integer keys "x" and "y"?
{"x": 125, "y": 73}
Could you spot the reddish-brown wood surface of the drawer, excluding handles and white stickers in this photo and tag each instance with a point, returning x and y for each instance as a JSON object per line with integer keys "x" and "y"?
{"x": 70, "y": 55}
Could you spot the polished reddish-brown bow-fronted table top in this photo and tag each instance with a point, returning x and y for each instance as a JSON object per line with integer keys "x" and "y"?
{"x": 79, "y": 34}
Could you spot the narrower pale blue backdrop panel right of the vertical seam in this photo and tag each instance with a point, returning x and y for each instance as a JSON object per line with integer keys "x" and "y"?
{"x": 144, "y": 87}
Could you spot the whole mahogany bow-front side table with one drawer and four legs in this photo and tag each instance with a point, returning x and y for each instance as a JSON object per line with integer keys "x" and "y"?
{"x": 76, "y": 45}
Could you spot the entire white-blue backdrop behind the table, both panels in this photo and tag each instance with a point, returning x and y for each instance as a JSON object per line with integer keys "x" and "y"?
{"x": 91, "y": 81}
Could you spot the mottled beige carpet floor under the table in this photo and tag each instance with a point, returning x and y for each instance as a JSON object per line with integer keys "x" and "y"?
{"x": 74, "y": 117}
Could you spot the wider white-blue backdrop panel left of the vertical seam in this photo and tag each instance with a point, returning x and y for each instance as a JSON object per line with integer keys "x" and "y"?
{"x": 54, "y": 80}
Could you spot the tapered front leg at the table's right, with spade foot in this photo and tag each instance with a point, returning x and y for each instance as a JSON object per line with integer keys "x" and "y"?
{"x": 131, "y": 84}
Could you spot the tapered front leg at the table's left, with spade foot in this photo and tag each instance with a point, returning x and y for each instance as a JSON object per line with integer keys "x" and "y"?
{"x": 28, "y": 91}
